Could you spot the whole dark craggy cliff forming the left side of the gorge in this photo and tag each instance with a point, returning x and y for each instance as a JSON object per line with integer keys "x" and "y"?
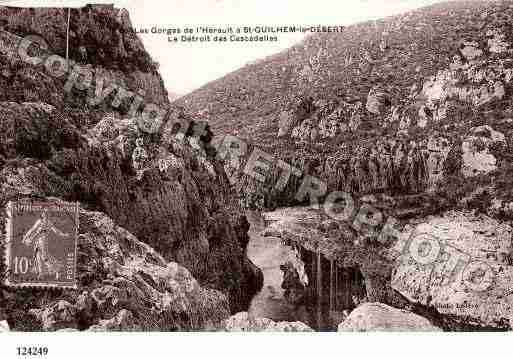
{"x": 164, "y": 242}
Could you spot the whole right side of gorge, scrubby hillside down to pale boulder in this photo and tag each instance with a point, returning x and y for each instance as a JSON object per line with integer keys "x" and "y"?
{"x": 411, "y": 115}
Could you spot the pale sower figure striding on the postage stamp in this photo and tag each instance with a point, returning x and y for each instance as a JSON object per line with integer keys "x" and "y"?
{"x": 38, "y": 237}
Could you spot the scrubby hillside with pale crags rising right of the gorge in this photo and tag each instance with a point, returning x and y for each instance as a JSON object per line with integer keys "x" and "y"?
{"x": 382, "y": 107}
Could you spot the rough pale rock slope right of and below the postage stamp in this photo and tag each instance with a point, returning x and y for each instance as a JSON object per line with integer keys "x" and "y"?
{"x": 123, "y": 285}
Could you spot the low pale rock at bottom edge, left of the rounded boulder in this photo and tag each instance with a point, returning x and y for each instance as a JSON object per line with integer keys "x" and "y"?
{"x": 242, "y": 322}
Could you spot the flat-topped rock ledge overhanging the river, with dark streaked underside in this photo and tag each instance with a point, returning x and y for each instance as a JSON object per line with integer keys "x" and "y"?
{"x": 335, "y": 248}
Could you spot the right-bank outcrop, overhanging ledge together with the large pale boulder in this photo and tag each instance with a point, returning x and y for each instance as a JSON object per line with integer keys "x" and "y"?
{"x": 454, "y": 269}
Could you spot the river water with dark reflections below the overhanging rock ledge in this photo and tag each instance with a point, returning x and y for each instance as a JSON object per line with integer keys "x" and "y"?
{"x": 329, "y": 292}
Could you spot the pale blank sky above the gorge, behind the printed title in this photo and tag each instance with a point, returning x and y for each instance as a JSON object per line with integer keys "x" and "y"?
{"x": 188, "y": 66}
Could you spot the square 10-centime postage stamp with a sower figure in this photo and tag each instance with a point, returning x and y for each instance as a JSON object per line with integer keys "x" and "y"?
{"x": 41, "y": 246}
